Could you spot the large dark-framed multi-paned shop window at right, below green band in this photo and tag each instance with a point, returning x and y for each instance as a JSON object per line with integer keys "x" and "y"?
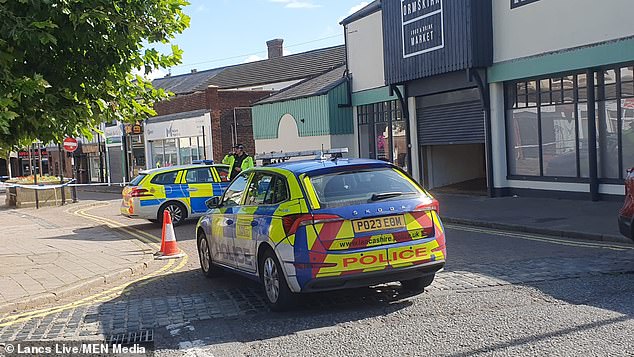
{"x": 549, "y": 137}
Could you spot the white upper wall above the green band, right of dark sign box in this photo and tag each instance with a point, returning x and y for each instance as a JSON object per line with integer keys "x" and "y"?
{"x": 552, "y": 25}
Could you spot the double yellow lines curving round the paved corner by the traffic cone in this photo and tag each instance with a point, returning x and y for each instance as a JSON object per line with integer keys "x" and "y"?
{"x": 169, "y": 267}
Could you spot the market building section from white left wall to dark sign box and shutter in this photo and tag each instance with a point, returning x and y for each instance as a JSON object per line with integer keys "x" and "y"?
{"x": 422, "y": 104}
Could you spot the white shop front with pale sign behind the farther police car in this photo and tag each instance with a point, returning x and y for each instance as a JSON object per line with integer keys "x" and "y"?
{"x": 178, "y": 139}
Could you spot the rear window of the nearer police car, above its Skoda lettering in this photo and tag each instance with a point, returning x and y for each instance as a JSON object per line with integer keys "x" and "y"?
{"x": 356, "y": 187}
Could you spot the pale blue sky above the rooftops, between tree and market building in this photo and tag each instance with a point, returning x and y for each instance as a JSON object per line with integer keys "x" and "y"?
{"x": 226, "y": 32}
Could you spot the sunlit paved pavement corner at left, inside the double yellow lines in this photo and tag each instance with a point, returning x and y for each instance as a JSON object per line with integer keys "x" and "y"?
{"x": 52, "y": 252}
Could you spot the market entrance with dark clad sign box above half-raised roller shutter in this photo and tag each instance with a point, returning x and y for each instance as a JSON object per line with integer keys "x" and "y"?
{"x": 435, "y": 54}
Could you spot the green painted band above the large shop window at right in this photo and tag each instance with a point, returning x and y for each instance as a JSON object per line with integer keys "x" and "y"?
{"x": 564, "y": 61}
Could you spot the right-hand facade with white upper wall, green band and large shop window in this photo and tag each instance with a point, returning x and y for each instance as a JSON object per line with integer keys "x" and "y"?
{"x": 562, "y": 97}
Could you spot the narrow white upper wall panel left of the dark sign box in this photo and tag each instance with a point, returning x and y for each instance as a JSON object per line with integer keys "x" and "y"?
{"x": 365, "y": 52}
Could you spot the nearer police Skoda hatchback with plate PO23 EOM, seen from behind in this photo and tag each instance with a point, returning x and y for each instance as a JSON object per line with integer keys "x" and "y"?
{"x": 316, "y": 225}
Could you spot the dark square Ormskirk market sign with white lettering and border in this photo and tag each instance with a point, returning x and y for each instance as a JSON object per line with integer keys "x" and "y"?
{"x": 422, "y": 26}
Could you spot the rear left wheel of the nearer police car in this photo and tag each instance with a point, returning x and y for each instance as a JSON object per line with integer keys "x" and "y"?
{"x": 276, "y": 292}
